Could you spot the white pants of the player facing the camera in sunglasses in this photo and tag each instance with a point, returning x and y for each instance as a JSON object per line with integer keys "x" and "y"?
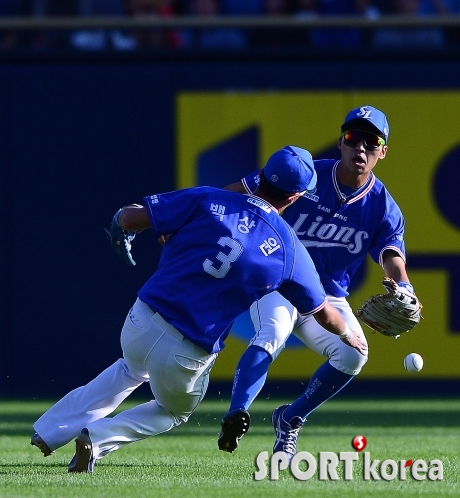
{"x": 274, "y": 319}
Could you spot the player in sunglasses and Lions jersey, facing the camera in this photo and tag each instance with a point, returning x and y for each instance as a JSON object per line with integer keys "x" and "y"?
{"x": 349, "y": 215}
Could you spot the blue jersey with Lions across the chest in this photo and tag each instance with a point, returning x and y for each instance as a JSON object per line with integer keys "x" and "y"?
{"x": 338, "y": 234}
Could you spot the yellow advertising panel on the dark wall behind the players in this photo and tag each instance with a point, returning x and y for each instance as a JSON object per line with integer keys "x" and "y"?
{"x": 424, "y": 137}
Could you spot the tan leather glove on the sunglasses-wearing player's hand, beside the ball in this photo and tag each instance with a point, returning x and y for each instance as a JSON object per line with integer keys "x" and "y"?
{"x": 393, "y": 313}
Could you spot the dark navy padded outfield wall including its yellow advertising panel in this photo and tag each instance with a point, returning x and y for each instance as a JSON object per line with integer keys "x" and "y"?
{"x": 81, "y": 137}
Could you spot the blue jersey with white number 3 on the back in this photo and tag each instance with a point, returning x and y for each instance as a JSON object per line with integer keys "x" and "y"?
{"x": 226, "y": 251}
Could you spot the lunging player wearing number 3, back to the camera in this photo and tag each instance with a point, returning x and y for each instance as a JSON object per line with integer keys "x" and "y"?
{"x": 224, "y": 252}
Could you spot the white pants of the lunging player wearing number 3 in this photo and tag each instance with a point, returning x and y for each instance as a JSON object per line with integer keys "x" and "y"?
{"x": 153, "y": 351}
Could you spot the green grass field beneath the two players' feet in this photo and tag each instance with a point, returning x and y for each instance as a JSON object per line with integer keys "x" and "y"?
{"x": 186, "y": 462}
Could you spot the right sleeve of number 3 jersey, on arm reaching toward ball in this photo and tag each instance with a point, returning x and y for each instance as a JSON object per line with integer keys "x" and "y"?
{"x": 304, "y": 289}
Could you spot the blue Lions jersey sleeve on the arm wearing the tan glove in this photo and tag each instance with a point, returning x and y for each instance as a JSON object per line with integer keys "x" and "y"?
{"x": 390, "y": 234}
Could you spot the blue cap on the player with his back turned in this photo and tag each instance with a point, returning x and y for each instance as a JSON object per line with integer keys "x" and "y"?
{"x": 291, "y": 170}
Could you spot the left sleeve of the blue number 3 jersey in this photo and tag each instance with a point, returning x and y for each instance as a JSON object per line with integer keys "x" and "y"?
{"x": 170, "y": 211}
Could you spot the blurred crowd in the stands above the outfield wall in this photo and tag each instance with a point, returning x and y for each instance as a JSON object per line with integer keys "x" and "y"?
{"x": 228, "y": 38}
